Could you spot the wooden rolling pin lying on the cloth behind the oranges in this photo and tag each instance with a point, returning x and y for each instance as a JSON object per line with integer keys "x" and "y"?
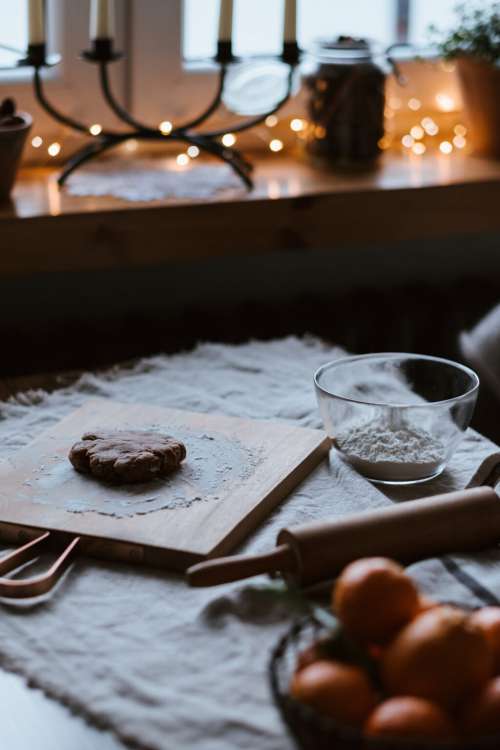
{"x": 463, "y": 521}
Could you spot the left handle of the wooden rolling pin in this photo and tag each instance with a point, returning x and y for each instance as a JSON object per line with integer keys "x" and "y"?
{"x": 238, "y": 567}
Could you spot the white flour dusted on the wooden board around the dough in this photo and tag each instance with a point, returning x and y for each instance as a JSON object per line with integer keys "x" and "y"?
{"x": 214, "y": 465}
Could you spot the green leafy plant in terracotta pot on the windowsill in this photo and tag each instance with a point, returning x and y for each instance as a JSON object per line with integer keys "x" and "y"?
{"x": 475, "y": 46}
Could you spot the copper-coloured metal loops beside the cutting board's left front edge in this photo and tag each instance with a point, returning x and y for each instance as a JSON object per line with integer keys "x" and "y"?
{"x": 38, "y": 585}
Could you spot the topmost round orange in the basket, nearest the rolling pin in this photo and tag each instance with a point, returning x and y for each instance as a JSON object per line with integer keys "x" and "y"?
{"x": 374, "y": 598}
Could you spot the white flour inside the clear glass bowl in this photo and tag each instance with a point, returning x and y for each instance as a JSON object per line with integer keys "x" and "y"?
{"x": 391, "y": 452}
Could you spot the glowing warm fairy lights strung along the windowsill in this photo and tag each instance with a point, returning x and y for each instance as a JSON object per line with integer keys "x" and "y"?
{"x": 410, "y": 129}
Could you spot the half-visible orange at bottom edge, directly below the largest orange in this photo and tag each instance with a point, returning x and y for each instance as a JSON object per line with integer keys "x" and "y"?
{"x": 410, "y": 718}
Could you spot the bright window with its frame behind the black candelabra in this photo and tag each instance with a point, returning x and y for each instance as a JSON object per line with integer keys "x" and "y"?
{"x": 163, "y": 35}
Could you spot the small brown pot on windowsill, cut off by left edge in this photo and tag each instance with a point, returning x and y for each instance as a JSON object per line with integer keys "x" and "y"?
{"x": 14, "y": 129}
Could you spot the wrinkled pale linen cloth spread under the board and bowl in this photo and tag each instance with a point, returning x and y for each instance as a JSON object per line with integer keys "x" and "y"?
{"x": 171, "y": 668}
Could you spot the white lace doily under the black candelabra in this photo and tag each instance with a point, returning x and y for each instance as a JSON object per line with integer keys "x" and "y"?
{"x": 149, "y": 180}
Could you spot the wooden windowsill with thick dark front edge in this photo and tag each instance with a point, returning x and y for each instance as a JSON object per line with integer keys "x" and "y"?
{"x": 293, "y": 207}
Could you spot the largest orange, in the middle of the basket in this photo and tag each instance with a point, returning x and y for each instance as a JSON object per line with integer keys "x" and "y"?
{"x": 440, "y": 656}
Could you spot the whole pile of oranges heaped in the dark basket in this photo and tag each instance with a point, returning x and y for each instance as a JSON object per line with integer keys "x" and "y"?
{"x": 432, "y": 671}
